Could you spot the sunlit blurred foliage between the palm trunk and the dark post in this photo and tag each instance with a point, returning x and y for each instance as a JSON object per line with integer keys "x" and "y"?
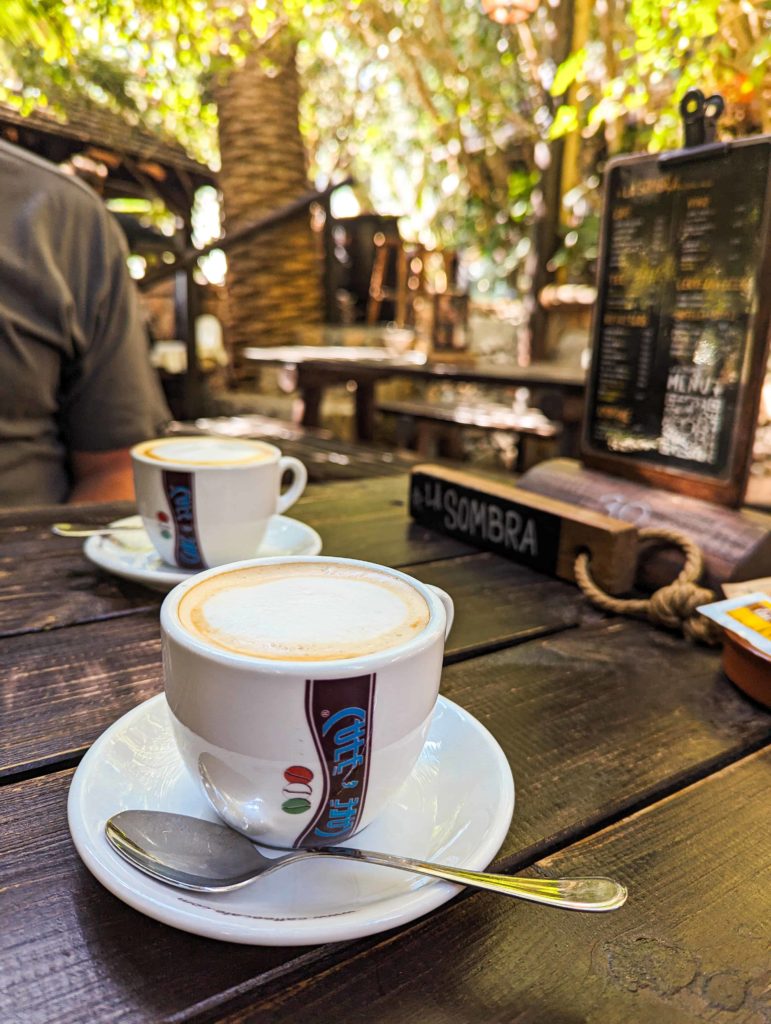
{"x": 432, "y": 109}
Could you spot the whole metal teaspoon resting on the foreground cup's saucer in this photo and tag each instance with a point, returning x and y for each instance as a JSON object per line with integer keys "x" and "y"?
{"x": 203, "y": 857}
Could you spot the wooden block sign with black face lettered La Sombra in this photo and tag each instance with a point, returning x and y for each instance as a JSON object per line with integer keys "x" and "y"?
{"x": 538, "y": 532}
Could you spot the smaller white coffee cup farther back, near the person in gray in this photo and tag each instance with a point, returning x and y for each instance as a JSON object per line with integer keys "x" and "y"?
{"x": 208, "y": 501}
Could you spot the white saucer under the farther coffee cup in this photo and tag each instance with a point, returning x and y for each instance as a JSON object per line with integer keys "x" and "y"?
{"x": 131, "y": 553}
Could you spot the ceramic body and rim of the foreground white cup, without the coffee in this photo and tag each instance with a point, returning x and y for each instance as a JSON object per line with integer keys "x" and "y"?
{"x": 302, "y": 753}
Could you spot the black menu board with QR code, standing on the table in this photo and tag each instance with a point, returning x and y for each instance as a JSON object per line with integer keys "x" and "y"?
{"x": 682, "y": 319}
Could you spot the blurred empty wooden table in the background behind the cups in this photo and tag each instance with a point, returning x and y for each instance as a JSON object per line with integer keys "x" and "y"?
{"x": 318, "y": 368}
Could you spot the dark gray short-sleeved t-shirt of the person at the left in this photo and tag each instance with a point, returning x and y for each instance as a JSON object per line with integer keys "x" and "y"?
{"x": 75, "y": 374}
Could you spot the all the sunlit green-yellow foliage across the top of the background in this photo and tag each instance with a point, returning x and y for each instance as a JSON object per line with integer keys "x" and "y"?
{"x": 438, "y": 112}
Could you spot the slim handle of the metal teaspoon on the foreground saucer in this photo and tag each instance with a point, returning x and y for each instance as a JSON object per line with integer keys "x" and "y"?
{"x": 571, "y": 894}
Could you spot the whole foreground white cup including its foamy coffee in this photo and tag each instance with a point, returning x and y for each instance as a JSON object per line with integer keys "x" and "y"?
{"x": 302, "y": 691}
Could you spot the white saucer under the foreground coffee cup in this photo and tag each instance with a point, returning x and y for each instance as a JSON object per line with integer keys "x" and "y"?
{"x": 455, "y": 809}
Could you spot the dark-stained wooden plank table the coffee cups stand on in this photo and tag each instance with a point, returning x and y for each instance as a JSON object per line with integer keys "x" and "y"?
{"x": 632, "y": 754}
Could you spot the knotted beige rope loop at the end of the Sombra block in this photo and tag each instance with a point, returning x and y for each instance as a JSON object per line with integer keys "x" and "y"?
{"x": 673, "y": 607}
